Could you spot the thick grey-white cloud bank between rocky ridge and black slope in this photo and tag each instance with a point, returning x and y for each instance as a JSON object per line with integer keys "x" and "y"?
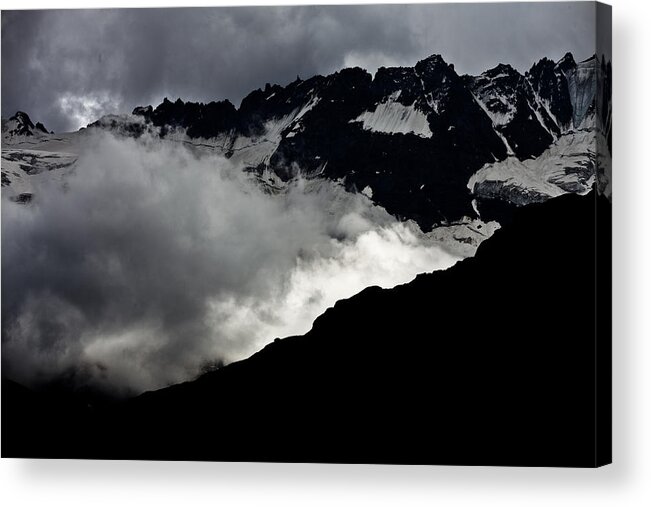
{"x": 152, "y": 263}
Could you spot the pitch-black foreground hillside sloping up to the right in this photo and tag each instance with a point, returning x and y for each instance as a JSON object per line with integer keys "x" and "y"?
{"x": 491, "y": 362}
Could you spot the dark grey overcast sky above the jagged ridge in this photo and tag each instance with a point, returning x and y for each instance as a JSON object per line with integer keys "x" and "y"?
{"x": 66, "y": 68}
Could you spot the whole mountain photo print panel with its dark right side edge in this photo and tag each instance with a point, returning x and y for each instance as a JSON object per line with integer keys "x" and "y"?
{"x": 368, "y": 234}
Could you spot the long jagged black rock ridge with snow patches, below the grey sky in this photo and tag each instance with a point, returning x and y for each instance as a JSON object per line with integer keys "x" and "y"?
{"x": 413, "y": 137}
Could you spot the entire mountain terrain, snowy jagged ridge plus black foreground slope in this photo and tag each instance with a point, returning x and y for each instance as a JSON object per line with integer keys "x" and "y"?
{"x": 492, "y": 361}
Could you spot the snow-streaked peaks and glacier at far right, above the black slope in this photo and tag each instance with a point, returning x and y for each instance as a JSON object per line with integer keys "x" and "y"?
{"x": 556, "y": 119}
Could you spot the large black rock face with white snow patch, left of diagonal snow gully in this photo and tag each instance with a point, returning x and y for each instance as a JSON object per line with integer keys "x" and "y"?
{"x": 413, "y": 136}
